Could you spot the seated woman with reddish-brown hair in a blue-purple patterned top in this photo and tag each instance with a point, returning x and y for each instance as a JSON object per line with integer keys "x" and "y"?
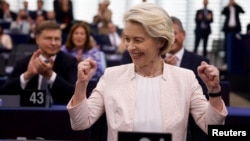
{"x": 80, "y": 44}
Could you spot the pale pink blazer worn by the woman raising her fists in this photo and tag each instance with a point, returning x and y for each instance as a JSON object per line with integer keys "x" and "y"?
{"x": 115, "y": 94}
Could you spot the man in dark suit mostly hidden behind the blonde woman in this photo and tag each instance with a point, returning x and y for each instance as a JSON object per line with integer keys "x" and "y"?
{"x": 181, "y": 57}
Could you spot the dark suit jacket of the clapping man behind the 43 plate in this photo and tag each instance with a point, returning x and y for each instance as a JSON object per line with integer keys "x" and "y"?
{"x": 65, "y": 66}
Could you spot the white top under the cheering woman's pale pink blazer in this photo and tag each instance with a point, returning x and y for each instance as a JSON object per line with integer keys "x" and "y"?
{"x": 147, "y": 107}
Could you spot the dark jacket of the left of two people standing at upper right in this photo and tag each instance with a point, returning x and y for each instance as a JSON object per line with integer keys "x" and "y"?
{"x": 198, "y": 22}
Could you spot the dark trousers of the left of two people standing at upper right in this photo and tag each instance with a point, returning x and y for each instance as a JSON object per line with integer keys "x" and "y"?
{"x": 198, "y": 37}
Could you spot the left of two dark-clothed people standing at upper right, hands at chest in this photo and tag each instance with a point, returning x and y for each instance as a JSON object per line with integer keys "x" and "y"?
{"x": 203, "y": 19}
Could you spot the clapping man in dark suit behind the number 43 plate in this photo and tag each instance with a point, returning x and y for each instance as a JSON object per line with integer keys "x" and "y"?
{"x": 48, "y": 62}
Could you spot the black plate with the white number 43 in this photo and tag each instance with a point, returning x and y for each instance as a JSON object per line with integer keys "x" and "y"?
{"x": 33, "y": 98}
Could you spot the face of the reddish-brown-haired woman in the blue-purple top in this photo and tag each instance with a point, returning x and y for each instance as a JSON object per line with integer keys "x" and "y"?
{"x": 79, "y": 37}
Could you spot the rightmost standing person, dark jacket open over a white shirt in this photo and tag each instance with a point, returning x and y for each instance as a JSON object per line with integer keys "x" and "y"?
{"x": 232, "y": 24}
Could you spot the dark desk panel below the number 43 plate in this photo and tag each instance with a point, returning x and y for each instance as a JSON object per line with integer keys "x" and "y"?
{"x": 48, "y": 123}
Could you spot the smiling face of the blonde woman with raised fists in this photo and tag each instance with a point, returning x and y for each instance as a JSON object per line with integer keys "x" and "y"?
{"x": 143, "y": 49}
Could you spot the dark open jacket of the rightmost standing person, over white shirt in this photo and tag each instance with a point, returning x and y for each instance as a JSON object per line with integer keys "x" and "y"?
{"x": 226, "y": 12}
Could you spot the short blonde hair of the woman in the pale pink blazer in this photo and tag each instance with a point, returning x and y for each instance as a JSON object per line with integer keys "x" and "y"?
{"x": 155, "y": 21}
